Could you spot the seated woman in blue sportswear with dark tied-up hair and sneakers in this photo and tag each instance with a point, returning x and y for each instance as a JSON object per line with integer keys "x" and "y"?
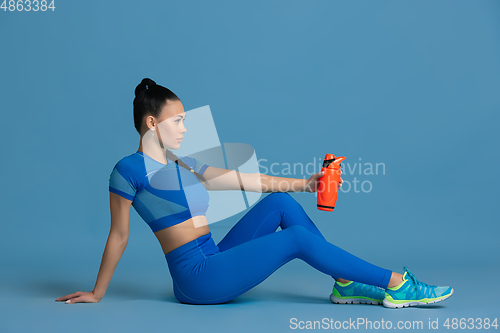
{"x": 207, "y": 273}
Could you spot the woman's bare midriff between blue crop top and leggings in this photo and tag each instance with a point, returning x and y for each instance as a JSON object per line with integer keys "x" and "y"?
{"x": 172, "y": 237}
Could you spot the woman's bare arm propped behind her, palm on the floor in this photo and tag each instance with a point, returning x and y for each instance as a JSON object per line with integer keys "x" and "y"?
{"x": 115, "y": 245}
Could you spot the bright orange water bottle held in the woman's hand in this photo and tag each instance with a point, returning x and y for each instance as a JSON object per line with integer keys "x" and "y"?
{"x": 328, "y": 188}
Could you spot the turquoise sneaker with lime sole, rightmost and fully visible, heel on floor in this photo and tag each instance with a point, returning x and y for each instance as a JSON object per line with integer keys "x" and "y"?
{"x": 414, "y": 292}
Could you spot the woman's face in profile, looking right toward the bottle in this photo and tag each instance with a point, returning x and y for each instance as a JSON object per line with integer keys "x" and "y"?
{"x": 170, "y": 126}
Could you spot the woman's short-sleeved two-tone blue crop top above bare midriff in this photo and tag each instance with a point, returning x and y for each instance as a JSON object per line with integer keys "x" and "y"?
{"x": 165, "y": 195}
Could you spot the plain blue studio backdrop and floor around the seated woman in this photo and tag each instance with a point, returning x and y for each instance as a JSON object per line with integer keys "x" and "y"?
{"x": 411, "y": 84}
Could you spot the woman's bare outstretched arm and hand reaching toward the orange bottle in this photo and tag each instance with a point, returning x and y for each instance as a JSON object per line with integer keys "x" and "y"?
{"x": 217, "y": 179}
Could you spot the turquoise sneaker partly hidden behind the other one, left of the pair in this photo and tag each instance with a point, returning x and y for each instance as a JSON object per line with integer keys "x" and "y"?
{"x": 356, "y": 293}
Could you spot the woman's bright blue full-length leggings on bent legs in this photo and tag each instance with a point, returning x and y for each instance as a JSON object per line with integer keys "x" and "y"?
{"x": 206, "y": 273}
